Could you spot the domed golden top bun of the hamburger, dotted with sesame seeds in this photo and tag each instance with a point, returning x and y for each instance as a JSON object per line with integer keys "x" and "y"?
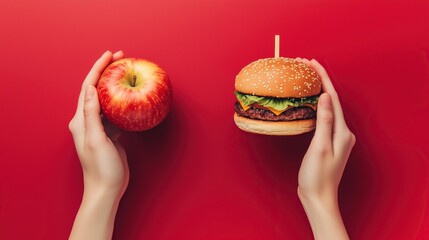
{"x": 278, "y": 77}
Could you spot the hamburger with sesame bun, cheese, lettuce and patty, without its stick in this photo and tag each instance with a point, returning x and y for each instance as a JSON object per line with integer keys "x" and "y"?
{"x": 276, "y": 96}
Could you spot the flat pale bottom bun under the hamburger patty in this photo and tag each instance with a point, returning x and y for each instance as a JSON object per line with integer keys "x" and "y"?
{"x": 284, "y": 128}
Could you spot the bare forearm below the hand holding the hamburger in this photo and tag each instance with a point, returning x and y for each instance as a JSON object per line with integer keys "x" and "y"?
{"x": 325, "y": 219}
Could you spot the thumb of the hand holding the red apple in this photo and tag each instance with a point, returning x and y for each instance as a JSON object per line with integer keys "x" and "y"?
{"x": 91, "y": 111}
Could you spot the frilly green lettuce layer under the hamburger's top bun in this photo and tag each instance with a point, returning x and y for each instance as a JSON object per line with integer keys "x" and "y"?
{"x": 276, "y": 103}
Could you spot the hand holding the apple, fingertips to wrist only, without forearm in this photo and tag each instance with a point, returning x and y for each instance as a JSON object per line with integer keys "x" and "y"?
{"x": 102, "y": 157}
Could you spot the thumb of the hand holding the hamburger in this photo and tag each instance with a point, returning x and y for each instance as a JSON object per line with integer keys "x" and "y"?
{"x": 324, "y": 123}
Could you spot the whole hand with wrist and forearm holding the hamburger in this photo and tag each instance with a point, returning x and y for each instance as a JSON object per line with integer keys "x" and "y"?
{"x": 323, "y": 164}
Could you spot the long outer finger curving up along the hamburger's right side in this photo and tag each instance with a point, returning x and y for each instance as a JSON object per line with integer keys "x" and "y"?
{"x": 328, "y": 87}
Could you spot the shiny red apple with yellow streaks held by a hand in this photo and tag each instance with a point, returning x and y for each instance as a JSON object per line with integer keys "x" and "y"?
{"x": 135, "y": 94}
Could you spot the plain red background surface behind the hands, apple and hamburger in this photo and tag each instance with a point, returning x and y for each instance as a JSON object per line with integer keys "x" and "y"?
{"x": 196, "y": 176}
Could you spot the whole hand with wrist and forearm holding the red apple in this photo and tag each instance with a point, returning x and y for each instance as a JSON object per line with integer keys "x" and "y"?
{"x": 104, "y": 162}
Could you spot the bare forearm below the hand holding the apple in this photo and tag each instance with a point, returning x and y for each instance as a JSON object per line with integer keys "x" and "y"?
{"x": 96, "y": 216}
